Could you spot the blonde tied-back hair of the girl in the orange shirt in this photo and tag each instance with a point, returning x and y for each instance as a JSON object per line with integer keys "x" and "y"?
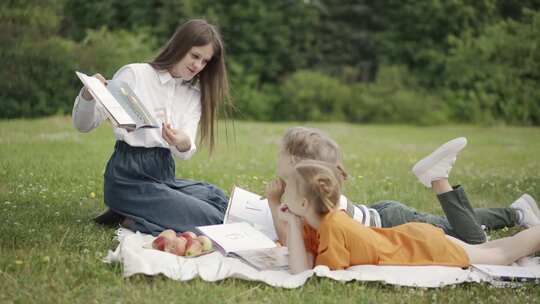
{"x": 321, "y": 183}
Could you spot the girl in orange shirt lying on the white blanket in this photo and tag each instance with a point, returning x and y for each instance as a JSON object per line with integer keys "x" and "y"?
{"x": 320, "y": 234}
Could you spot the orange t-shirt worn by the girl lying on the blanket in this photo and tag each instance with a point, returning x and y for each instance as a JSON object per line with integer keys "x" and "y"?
{"x": 342, "y": 242}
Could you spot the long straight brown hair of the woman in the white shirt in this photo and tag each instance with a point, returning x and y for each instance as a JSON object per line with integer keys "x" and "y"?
{"x": 213, "y": 81}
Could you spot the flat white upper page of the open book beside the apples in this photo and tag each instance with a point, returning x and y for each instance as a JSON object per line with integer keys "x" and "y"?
{"x": 236, "y": 237}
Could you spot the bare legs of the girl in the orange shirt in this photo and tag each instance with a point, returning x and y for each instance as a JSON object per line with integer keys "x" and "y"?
{"x": 503, "y": 251}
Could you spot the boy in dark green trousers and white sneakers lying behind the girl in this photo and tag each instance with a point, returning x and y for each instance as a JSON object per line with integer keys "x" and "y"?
{"x": 461, "y": 221}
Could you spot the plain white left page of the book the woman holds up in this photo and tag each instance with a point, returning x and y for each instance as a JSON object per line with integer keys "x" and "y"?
{"x": 100, "y": 93}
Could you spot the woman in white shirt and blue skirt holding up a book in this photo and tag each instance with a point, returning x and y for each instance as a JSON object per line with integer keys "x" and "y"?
{"x": 183, "y": 86}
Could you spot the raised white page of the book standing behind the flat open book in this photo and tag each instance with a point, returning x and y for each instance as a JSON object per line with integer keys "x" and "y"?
{"x": 245, "y": 206}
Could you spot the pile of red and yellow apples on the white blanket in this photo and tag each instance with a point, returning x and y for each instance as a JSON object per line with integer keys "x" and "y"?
{"x": 182, "y": 244}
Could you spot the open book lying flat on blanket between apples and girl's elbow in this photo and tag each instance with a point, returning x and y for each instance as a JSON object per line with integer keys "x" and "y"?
{"x": 242, "y": 241}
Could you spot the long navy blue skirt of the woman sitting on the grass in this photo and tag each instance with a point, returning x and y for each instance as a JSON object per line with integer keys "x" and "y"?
{"x": 140, "y": 184}
